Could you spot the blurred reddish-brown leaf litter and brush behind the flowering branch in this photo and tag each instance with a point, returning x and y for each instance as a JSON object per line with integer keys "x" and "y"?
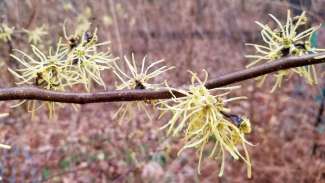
{"x": 88, "y": 146}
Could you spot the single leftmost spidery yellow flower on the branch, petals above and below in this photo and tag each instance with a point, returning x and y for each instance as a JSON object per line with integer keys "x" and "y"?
{"x": 45, "y": 71}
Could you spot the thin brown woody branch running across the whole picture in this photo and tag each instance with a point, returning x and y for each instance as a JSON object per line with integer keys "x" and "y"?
{"x": 33, "y": 93}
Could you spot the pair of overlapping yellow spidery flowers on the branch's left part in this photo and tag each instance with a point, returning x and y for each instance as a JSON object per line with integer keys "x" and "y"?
{"x": 79, "y": 62}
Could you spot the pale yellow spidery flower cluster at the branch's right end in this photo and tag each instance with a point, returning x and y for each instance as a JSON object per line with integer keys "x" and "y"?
{"x": 290, "y": 39}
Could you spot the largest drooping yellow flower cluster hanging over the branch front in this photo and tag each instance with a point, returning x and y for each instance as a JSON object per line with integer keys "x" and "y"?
{"x": 203, "y": 119}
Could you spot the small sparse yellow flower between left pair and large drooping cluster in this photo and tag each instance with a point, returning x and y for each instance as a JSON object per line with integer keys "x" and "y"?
{"x": 137, "y": 78}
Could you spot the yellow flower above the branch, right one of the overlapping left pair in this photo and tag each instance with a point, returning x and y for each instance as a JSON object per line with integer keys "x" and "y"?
{"x": 84, "y": 57}
